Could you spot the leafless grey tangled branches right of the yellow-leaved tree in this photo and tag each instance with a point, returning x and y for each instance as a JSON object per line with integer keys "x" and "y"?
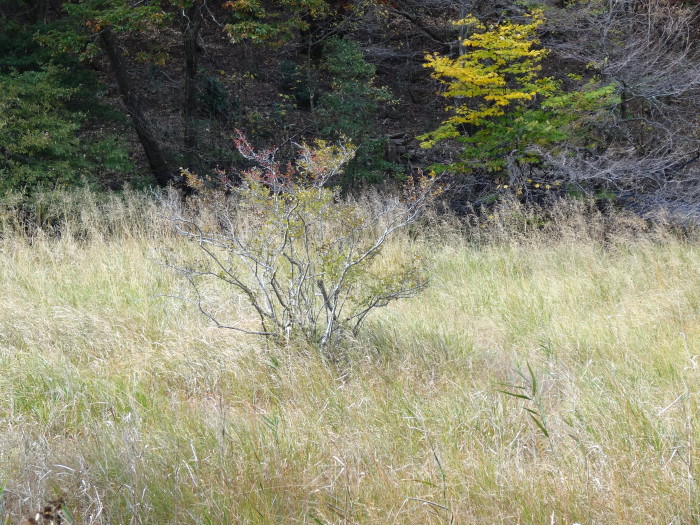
{"x": 650, "y": 50}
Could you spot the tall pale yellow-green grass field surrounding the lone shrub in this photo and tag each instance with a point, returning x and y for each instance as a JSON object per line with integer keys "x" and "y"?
{"x": 133, "y": 408}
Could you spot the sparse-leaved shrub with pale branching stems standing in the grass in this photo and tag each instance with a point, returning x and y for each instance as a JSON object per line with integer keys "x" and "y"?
{"x": 308, "y": 261}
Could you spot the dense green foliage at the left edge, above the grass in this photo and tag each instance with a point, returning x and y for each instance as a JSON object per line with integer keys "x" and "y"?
{"x": 40, "y": 144}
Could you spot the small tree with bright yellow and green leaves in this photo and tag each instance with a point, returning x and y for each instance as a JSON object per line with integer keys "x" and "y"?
{"x": 504, "y": 109}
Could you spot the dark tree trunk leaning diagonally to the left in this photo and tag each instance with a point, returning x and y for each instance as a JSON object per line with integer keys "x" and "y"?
{"x": 151, "y": 148}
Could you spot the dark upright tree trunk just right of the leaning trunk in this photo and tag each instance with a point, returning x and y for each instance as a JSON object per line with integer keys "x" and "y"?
{"x": 192, "y": 23}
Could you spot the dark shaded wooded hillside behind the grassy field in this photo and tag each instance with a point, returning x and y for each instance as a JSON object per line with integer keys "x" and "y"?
{"x": 115, "y": 93}
